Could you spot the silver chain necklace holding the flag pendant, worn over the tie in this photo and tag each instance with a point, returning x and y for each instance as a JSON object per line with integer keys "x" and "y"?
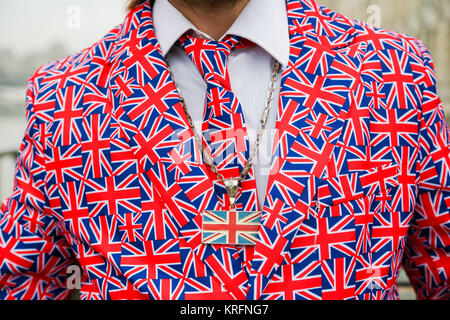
{"x": 232, "y": 185}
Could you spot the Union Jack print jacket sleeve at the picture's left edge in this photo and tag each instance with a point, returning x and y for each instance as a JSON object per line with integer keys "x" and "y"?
{"x": 34, "y": 255}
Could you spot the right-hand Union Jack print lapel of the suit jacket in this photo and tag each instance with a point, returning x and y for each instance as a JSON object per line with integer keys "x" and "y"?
{"x": 315, "y": 97}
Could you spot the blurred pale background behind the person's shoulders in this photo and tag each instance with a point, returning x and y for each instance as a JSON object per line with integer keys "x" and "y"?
{"x": 34, "y": 32}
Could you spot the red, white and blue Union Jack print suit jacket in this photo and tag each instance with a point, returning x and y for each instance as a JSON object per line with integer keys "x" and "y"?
{"x": 109, "y": 177}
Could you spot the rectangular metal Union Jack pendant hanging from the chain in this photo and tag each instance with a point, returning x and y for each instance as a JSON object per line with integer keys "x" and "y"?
{"x": 231, "y": 227}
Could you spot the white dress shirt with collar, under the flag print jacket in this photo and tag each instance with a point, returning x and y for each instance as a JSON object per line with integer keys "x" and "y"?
{"x": 264, "y": 22}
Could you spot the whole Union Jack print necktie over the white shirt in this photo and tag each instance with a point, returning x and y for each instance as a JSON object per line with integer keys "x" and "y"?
{"x": 224, "y": 131}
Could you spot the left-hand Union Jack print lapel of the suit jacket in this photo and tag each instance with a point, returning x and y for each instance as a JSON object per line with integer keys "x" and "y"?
{"x": 148, "y": 109}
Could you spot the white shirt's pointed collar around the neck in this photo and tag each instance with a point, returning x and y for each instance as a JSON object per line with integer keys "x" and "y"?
{"x": 252, "y": 24}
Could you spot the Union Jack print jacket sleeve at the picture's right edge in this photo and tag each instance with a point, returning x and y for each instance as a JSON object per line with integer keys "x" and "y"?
{"x": 427, "y": 255}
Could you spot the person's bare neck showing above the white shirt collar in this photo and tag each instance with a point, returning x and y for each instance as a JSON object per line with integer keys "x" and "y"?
{"x": 213, "y": 17}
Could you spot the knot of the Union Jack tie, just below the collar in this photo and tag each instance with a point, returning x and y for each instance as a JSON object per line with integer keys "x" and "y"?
{"x": 210, "y": 56}
